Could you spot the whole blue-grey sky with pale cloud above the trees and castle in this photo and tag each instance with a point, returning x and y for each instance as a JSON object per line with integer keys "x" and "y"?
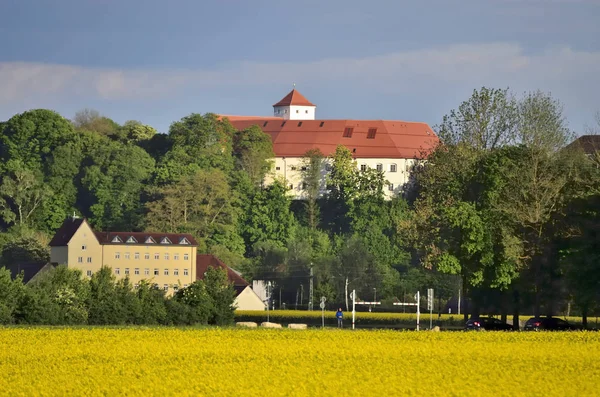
{"x": 157, "y": 61}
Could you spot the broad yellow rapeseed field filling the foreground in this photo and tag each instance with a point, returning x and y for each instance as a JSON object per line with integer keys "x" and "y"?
{"x": 253, "y": 362}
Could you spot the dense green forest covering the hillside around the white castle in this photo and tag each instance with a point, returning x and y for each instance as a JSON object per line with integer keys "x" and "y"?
{"x": 503, "y": 210}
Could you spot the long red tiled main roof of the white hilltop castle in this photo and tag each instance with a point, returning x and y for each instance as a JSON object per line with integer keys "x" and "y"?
{"x": 393, "y": 139}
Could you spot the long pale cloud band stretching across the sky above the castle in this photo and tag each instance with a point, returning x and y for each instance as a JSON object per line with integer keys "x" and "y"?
{"x": 570, "y": 74}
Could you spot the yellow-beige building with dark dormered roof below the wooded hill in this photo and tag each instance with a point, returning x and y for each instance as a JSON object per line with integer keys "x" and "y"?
{"x": 166, "y": 260}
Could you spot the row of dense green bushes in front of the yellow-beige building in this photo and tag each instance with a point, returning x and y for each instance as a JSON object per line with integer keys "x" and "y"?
{"x": 61, "y": 296}
